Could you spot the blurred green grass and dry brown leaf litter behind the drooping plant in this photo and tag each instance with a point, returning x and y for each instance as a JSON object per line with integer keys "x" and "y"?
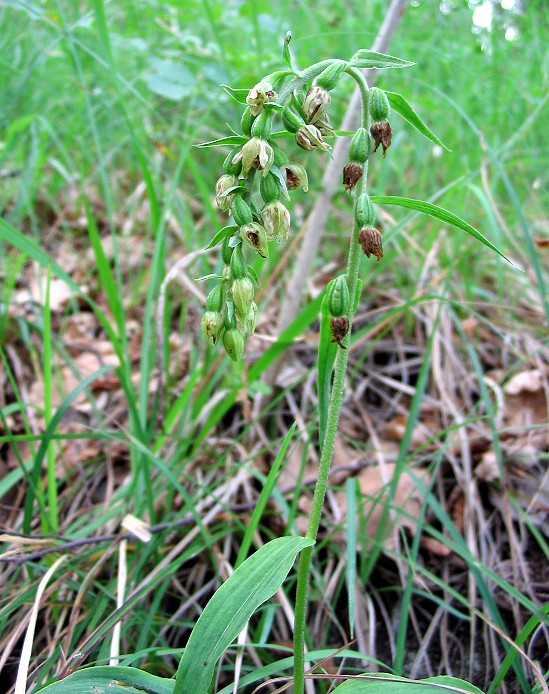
{"x": 108, "y": 409}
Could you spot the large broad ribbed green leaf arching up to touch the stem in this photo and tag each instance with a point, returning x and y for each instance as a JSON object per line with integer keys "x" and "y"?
{"x": 229, "y": 609}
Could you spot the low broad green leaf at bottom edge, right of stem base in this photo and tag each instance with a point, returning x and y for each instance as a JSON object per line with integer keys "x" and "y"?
{"x": 383, "y": 683}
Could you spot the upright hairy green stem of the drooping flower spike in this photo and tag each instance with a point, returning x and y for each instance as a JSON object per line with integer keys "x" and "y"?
{"x": 331, "y": 429}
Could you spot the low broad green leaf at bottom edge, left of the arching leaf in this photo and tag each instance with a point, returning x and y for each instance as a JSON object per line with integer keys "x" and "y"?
{"x": 112, "y": 679}
